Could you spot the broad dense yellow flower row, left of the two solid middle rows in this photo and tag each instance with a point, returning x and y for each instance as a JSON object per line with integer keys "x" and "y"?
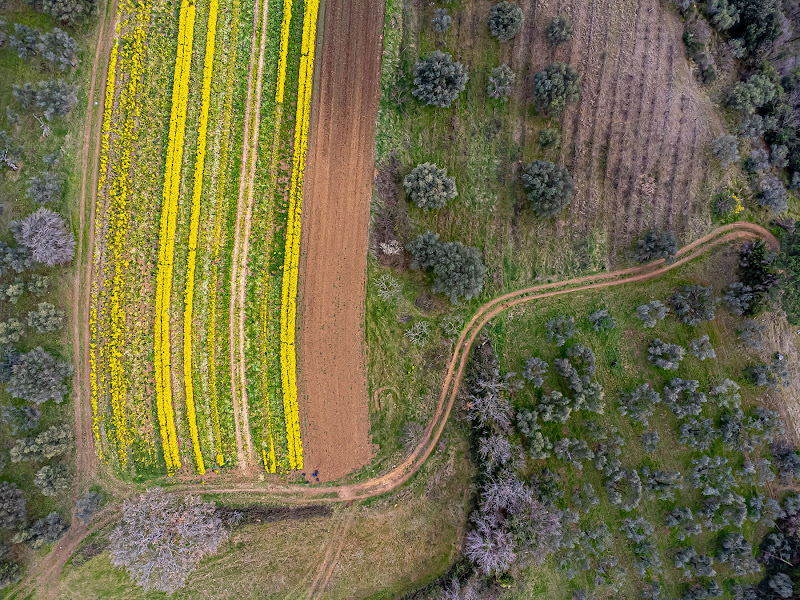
{"x": 166, "y": 250}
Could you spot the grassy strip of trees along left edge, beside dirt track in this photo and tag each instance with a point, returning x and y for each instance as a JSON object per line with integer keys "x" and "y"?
{"x": 37, "y": 242}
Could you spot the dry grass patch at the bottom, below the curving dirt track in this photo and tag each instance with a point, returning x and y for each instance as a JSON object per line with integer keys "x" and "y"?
{"x": 393, "y": 544}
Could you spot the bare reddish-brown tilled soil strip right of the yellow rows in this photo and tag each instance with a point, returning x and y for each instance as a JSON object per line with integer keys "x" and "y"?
{"x": 338, "y": 187}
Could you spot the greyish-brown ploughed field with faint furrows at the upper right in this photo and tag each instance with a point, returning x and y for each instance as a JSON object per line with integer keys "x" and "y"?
{"x": 635, "y": 143}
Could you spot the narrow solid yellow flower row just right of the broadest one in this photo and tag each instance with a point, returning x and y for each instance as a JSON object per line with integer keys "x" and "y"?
{"x": 191, "y": 264}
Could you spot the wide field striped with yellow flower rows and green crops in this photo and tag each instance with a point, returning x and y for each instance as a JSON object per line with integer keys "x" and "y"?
{"x": 199, "y": 195}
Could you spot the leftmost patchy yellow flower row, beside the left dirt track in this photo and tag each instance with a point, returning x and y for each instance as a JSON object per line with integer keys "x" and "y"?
{"x": 108, "y": 106}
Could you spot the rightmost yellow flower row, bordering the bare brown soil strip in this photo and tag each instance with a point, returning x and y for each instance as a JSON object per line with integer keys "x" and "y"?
{"x": 292, "y": 255}
